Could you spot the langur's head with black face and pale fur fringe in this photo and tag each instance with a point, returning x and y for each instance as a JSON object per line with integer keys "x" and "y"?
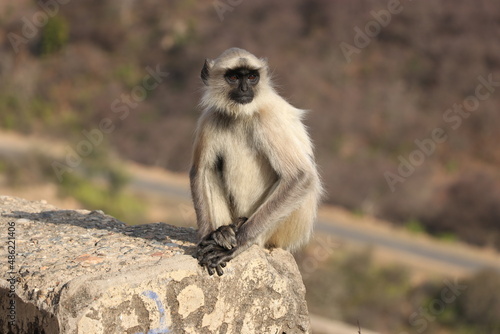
{"x": 234, "y": 82}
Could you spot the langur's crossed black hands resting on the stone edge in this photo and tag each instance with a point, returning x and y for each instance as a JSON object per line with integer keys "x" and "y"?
{"x": 219, "y": 246}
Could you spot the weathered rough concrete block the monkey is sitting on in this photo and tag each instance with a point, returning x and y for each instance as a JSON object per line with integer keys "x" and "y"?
{"x": 85, "y": 272}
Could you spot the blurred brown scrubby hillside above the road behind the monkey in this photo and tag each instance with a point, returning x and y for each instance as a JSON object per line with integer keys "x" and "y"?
{"x": 129, "y": 70}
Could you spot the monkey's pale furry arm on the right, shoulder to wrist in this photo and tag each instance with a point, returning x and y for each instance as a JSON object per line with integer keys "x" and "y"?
{"x": 286, "y": 144}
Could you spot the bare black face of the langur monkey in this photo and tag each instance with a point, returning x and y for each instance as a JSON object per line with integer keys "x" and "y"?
{"x": 243, "y": 82}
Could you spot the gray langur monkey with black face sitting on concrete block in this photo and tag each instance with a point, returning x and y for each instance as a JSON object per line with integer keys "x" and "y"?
{"x": 253, "y": 176}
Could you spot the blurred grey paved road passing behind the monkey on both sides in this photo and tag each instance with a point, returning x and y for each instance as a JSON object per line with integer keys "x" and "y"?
{"x": 352, "y": 234}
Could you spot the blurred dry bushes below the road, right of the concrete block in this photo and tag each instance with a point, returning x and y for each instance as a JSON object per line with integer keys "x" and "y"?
{"x": 386, "y": 299}
